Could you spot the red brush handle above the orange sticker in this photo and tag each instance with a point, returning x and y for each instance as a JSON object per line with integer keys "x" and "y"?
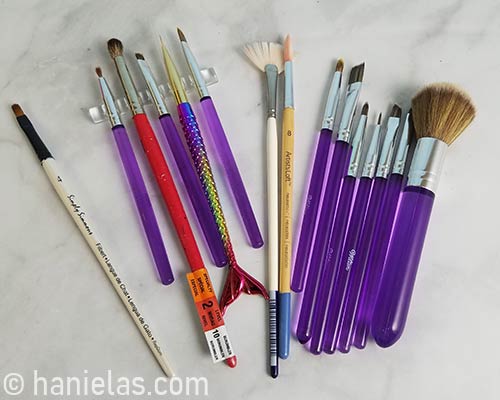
{"x": 168, "y": 190}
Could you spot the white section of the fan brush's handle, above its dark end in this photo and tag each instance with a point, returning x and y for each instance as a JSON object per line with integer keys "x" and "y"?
{"x": 272, "y": 203}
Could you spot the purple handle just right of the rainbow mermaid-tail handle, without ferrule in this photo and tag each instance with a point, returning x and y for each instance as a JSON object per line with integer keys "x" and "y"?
{"x": 233, "y": 174}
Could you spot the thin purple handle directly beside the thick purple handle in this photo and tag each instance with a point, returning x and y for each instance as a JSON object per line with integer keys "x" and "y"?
{"x": 376, "y": 258}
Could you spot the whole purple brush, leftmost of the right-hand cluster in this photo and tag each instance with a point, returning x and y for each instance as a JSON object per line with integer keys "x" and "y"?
{"x": 316, "y": 182}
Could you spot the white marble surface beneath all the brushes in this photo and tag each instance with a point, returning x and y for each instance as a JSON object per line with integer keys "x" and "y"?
{"x": 59, "y": 315}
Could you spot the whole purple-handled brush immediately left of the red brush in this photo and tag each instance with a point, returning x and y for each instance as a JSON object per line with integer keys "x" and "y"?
{"x": 136, "y": 184}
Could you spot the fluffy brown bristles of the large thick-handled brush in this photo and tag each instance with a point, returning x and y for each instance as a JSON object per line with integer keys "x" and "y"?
{"x": 441, "y": 111}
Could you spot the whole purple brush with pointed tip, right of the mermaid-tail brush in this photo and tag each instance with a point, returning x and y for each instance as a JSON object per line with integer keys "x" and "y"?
{"x": 223, "y": 148}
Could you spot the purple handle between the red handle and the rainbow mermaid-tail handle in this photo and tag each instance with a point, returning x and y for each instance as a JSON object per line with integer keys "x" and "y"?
{"x": 195, "y": 191}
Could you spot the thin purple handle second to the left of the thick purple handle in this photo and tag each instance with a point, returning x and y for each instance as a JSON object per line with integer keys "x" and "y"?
{"x": 346, "y": 332}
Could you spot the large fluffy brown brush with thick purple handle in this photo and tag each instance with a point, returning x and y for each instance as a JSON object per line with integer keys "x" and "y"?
{"x": 440, "y": 112}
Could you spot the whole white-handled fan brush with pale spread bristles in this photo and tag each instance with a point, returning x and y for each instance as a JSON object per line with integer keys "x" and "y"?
{"x": 268, "y": 57}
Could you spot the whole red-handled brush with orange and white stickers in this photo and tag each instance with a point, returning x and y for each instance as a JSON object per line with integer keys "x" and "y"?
{"x": 213, "y": 333}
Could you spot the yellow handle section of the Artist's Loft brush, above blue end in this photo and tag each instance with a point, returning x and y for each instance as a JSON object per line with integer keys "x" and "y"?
{"x": 286, "y": 194}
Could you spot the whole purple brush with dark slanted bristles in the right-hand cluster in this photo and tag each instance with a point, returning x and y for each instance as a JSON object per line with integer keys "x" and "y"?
{"x": 336, "y": 171}
